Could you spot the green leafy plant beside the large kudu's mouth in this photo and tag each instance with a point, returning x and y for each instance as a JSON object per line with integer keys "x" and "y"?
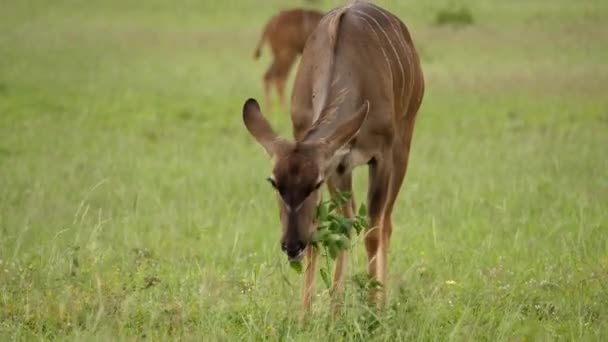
{"x": 334, "y": 231}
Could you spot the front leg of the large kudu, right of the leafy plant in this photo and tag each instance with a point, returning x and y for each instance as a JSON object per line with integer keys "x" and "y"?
{"x": 378, "y": 191}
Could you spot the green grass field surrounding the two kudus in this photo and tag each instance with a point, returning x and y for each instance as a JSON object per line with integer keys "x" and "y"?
{"x": 133, "y": 203}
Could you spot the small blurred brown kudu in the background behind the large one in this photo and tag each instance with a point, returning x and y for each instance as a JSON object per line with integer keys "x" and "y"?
{"x": 287, "y": 33}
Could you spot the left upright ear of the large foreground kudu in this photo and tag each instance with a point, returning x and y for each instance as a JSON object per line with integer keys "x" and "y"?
{"x": 259, "y": 127}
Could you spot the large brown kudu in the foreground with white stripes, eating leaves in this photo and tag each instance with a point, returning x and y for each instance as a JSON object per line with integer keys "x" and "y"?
{"x": 355, "y": 98}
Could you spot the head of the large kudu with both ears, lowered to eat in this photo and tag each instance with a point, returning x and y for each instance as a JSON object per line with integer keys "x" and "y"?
{"x": 299, "y": 170}
